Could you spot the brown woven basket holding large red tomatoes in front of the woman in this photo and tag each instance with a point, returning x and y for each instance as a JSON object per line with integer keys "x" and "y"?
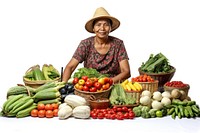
{"x": 94, "y": 95}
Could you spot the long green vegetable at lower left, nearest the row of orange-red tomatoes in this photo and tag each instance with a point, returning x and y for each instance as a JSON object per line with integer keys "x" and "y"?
{"x": 26, "y": 112}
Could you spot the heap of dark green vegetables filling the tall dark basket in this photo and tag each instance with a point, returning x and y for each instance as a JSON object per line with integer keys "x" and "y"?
{"x": 156, "y": 64}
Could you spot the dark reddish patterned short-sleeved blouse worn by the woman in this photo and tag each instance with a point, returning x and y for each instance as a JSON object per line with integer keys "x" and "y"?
{"x": 105, "y": 64}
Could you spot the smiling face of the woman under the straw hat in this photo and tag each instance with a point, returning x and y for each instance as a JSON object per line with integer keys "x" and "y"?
{"x": 102, "y": 28}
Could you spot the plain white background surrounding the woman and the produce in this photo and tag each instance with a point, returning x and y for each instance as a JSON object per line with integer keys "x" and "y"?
{"x": 48, "y": 31}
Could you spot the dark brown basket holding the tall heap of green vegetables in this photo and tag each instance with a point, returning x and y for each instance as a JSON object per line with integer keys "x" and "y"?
{"x": 161, "y": 77}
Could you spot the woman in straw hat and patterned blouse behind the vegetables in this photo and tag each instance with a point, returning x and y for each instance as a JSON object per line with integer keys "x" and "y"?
{"x": 102, "y": 52}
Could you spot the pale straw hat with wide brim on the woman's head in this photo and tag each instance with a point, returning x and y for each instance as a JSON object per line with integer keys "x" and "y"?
{"x": 101, "y": 13}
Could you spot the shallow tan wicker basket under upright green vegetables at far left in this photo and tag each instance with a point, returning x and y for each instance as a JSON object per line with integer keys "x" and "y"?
{"x": 36, "y": 84}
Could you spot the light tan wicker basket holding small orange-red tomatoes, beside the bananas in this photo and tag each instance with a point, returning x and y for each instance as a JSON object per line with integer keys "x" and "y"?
{"x": 150, "y": 86}
